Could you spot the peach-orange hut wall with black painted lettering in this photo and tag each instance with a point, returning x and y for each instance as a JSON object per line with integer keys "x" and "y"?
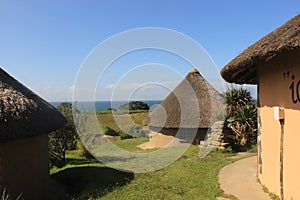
{"x": 279, "y": 86}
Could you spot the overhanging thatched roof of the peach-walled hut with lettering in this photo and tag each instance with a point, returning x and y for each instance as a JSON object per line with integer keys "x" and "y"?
{"x": 242, "y": 69}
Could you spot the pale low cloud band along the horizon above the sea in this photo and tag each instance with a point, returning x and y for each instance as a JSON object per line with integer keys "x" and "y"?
{"x": 120, "y": 91}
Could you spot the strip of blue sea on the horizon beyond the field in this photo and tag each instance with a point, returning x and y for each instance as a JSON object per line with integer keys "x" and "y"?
{"x": 103, "y": 105}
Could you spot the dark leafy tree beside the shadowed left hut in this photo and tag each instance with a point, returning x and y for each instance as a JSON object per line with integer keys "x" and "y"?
{"x": 63, "y": 139}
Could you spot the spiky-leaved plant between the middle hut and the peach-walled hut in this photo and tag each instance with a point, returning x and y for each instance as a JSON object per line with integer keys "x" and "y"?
{"x": 241, "y": 118}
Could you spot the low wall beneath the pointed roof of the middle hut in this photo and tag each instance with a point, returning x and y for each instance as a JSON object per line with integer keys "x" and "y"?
{"x": 185, "y": 133}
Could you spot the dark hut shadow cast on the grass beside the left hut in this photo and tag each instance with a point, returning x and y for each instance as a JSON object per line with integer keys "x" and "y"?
{"x": 91, "y": 182}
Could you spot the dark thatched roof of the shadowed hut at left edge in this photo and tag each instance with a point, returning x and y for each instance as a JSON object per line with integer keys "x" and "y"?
{"x": 23, "y": 113}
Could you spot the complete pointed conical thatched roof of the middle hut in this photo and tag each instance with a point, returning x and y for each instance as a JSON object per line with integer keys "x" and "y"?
{"x": 189, "y": 105}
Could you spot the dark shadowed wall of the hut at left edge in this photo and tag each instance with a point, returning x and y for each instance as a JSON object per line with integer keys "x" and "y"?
{"x": 30, "y": 157}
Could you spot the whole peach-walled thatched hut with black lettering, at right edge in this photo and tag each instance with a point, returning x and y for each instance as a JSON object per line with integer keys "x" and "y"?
{"x": 273, "y": 64}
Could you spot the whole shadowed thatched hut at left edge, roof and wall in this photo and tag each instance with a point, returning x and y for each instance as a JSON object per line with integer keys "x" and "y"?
{"x": 26, "y": 119}
